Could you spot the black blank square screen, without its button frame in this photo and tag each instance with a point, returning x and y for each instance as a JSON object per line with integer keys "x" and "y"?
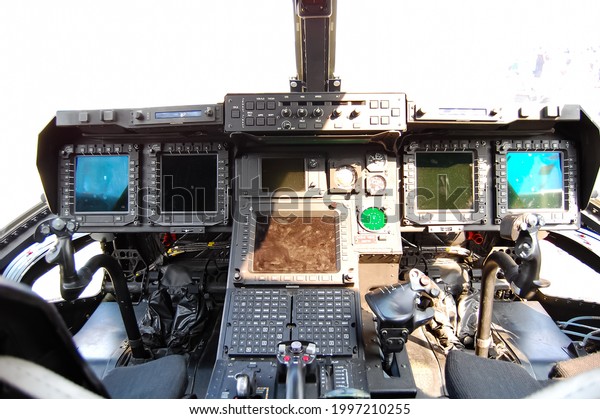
{"x": 189, "y": 183}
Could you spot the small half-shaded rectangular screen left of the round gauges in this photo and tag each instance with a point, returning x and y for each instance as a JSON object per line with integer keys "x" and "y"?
{"x": 283, "y": 173}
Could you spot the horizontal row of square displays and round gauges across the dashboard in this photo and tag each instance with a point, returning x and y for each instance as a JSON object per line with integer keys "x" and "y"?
{"x": 441, "y": 182}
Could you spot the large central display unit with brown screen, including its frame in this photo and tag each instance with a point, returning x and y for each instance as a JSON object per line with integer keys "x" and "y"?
{"x": 293, "y": 244}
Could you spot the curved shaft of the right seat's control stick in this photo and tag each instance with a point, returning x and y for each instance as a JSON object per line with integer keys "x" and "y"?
{"x": 494, "y": 262}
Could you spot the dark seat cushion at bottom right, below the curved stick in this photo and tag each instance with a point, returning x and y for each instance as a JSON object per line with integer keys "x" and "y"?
{"x": 472, "y": 377}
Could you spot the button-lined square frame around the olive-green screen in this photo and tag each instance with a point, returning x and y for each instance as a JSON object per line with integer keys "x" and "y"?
{"x": 459, "y": 216}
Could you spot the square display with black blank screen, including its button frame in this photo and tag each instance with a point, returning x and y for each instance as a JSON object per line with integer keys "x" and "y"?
{"x": 187, "y": 184}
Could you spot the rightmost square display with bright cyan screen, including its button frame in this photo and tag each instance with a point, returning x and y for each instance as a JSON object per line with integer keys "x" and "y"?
{"x": 537, "y": 175}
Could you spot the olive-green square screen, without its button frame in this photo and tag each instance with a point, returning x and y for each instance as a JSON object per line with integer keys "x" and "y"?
{"x": 444, "y": 181}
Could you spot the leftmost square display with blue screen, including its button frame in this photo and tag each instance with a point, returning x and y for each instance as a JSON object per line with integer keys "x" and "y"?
{"x": 98, "y": 183}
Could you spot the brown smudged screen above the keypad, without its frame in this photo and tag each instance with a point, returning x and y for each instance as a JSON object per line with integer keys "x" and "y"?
{"x": 295, "y": 244}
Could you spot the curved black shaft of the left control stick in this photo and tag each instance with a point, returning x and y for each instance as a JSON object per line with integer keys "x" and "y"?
{"x": 123, "y": 298}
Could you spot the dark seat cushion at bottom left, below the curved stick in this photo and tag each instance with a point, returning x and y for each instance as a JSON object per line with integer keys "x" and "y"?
{"x": 164, "y": 378}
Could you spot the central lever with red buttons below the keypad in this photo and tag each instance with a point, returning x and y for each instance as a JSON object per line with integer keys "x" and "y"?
{"x": 295, "y": 356}
